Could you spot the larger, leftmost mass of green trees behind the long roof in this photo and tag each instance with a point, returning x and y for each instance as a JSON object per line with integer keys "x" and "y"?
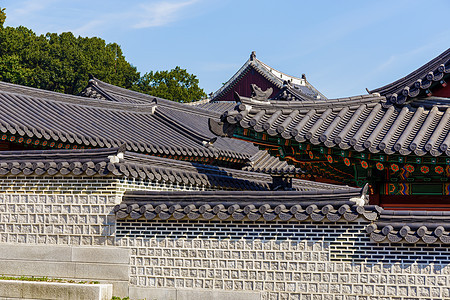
{"x": 61, "y": 62}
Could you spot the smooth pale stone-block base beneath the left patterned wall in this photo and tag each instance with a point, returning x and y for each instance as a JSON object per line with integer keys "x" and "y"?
{"x": 79, "y": 263}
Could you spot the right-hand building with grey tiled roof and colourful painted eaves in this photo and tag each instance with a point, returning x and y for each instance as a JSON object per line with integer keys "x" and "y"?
{"x": 396, "y": 138}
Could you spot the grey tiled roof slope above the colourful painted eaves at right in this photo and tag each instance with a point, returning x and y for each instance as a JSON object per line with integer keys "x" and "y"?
{"x": 362, "y": 123}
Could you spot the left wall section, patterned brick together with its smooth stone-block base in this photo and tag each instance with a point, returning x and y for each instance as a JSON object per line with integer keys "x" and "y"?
{"x": 64, "y": 227}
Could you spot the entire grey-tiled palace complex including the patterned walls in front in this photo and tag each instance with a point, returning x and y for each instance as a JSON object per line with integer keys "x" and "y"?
{"x": 283, "y": 195}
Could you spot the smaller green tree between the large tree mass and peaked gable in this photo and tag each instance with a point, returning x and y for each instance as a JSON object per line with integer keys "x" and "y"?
{"x": 176, "y": 84}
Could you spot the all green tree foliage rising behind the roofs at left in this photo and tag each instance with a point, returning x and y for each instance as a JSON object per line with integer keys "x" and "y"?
{"x": 63, "y": 63}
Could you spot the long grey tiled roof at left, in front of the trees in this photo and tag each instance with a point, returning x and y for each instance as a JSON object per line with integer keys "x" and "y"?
{"x": 146, "y": 124}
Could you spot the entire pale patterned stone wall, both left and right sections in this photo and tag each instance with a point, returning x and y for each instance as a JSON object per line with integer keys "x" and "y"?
{"x": 172, "y": 258}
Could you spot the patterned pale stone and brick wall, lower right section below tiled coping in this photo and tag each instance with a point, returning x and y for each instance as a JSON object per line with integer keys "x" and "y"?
{"x": 283, "y": 260}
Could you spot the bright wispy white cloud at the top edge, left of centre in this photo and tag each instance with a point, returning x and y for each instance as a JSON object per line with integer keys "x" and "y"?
{"x": 161, "y": 13}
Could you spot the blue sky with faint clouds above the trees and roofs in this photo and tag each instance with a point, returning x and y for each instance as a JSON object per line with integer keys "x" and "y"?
{"x": 343, "y": 47}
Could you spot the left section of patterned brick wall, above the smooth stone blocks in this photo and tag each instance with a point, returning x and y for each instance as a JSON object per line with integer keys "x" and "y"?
{"x": 64, "y": 210}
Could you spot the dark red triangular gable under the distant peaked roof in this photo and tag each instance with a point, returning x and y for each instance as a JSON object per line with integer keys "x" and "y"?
{"x": 243, "y": 86}
